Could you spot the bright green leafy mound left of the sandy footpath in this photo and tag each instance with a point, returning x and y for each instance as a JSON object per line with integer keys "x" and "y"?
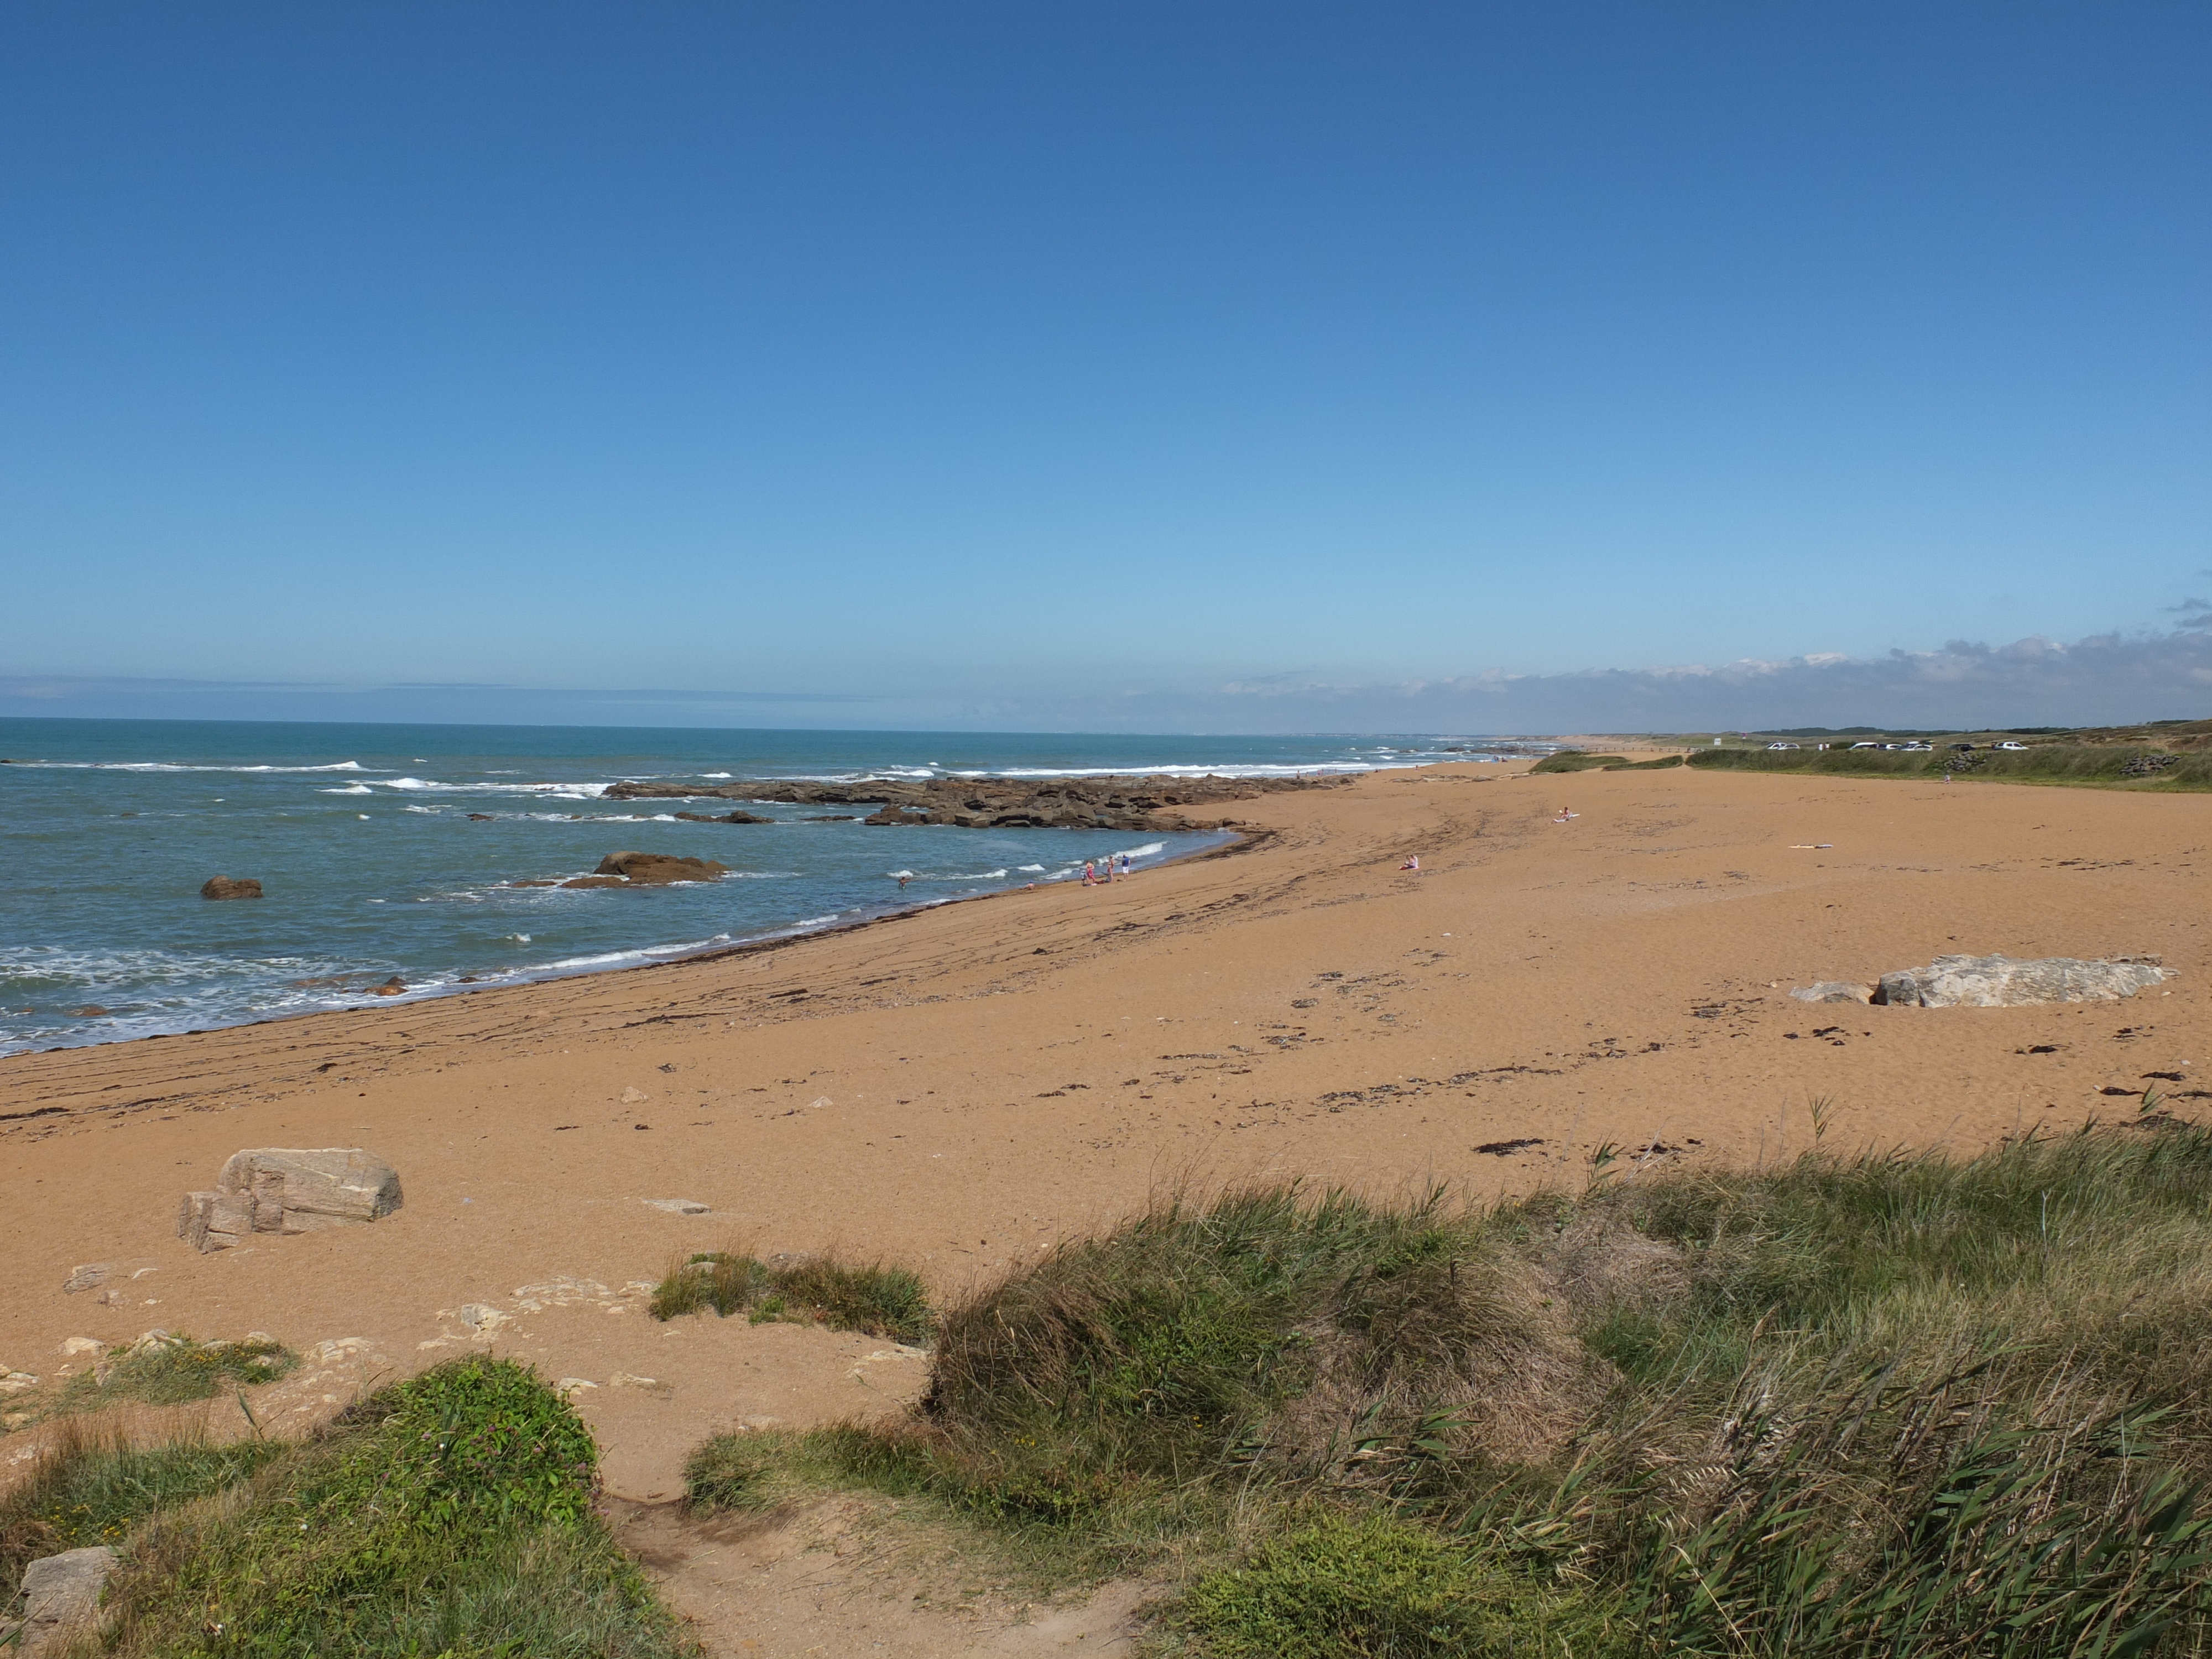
{"x": 450, "y": 1514}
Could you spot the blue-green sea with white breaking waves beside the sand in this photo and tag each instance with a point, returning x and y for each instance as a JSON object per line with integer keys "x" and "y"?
{"x": 373, "y": 864}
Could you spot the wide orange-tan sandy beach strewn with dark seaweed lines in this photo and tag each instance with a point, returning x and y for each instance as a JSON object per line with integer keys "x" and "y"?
{"x": 961, "y": 1087}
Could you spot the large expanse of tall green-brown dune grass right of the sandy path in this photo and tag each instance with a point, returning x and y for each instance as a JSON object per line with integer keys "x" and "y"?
{"x": 1853, "y": 1406}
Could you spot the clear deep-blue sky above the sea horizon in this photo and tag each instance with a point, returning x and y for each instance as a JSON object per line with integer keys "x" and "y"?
{"x": 1142, "y": 366}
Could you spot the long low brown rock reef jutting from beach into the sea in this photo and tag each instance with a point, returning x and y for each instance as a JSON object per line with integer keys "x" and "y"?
{"x": 1154, "y": 804}
